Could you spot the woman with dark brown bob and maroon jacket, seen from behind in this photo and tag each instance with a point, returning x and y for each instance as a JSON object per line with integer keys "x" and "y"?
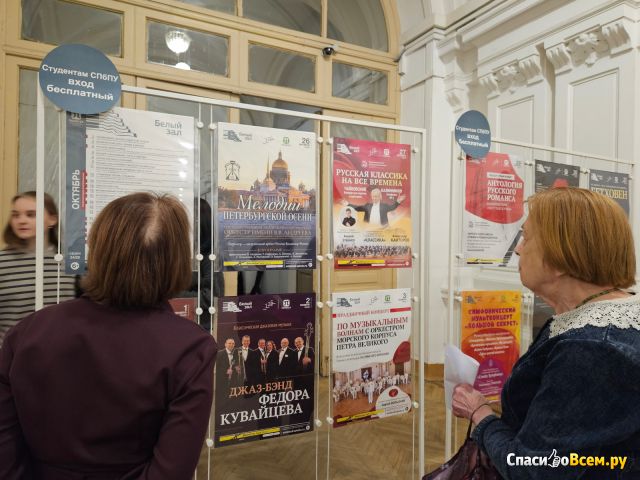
{"x": 112, "y": 385}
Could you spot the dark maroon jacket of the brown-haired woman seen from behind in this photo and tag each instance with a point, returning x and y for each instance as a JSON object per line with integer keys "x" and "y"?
{"x": 91, "y": 392}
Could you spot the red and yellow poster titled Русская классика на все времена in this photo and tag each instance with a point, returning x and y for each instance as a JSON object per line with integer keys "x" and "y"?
{"x": 371, "y": 204}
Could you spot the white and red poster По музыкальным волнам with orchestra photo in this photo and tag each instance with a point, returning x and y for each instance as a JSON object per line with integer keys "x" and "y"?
{"x": 371, "y": 356}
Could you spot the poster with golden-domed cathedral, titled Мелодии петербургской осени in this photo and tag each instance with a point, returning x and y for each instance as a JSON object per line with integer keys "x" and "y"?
{"x": 266, "y": 217}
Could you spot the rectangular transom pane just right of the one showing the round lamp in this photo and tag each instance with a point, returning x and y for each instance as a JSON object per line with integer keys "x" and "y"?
{"x": 281, "y": 68}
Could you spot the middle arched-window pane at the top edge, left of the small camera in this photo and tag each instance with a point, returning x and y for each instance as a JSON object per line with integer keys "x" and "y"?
{"x": 300, "y": 15}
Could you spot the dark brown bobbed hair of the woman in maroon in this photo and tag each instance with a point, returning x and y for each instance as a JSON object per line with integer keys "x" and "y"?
{"x": 139, "y": 252}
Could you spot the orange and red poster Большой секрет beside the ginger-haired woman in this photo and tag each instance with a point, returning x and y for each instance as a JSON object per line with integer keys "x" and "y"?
{"x": 491, "y": 334}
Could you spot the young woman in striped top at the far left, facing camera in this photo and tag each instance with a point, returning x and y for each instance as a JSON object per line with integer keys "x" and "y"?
{"x": 18, "y": 262}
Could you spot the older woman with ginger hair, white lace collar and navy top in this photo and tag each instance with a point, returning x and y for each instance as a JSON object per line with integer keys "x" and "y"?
{"x": 575, "y": 393}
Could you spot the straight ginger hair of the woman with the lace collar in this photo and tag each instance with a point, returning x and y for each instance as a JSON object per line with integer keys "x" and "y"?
{"x": 585, "y": 235}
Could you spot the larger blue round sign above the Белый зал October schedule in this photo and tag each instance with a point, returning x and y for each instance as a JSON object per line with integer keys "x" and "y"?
{"x": 80, "y": 79}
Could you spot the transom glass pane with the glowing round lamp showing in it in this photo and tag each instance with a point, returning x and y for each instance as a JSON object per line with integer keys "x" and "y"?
{"x": 187, "y": 49}
